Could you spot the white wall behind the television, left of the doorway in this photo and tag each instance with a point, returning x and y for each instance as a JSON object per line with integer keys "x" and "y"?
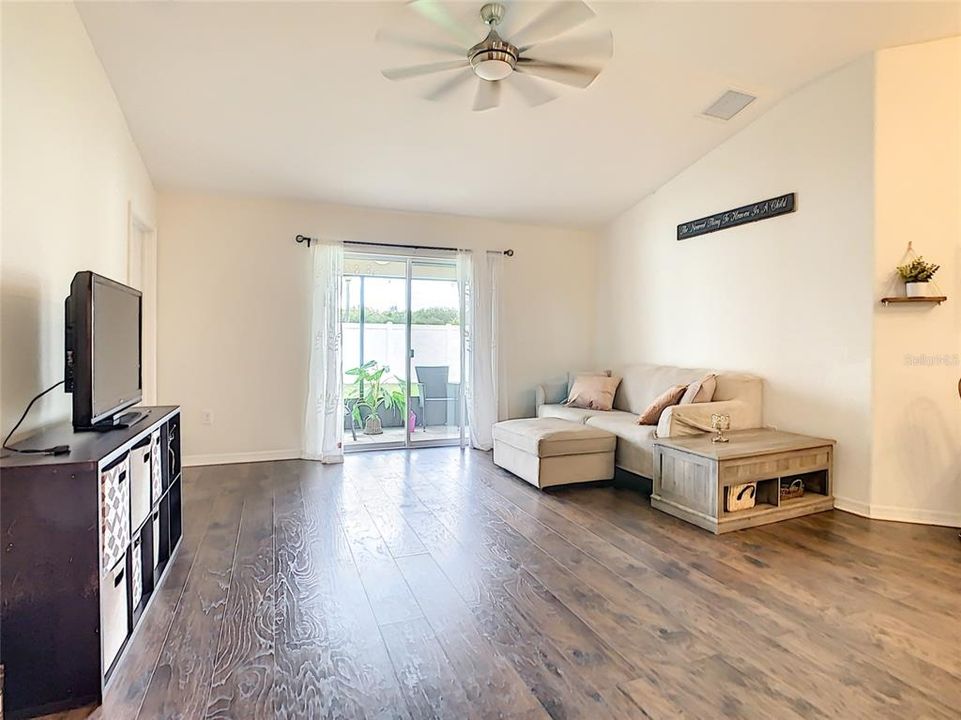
{"x": 70, "y": 174}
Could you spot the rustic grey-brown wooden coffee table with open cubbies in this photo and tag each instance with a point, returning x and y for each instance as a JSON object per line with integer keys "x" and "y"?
{"x": 691, "y": 475}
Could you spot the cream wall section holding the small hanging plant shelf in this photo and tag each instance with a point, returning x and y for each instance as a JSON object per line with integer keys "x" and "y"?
{"x": 917, "y": 411}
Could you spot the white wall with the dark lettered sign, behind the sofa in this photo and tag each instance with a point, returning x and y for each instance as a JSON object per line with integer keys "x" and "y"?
{"x": 788, "y": 298}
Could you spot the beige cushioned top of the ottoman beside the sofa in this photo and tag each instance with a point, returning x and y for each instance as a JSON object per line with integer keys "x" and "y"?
{"x": 551, "y": 437}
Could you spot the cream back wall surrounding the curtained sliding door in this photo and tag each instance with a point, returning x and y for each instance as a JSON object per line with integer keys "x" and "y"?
{"x": 234, "y": 297}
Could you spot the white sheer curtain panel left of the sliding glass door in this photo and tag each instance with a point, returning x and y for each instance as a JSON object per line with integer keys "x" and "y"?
{"x": 324, "y": 421}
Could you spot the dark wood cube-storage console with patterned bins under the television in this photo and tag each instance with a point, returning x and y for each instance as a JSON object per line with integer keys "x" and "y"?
{"x": 87, "y": 538}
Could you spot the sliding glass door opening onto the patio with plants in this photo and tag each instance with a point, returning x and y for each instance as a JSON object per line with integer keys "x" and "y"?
{"x": 403, "y": 352}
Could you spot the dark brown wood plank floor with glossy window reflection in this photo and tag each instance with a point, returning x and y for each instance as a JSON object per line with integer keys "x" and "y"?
{"x": 433, "y": 584}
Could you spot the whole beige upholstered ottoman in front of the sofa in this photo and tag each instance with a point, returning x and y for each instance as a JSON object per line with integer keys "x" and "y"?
{"x": 550, "y": 451}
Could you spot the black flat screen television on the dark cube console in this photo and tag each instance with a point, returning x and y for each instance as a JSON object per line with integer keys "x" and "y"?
{"x": 103, "y": 351}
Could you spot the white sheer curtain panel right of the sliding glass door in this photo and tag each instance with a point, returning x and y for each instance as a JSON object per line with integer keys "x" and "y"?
{"x": 479, "y": 276}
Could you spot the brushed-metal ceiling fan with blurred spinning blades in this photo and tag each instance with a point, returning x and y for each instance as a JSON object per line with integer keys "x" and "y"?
{"x": 534, "y": 52}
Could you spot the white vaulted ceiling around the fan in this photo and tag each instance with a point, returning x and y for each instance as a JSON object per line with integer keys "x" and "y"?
{"x": 287, "y": 99}
